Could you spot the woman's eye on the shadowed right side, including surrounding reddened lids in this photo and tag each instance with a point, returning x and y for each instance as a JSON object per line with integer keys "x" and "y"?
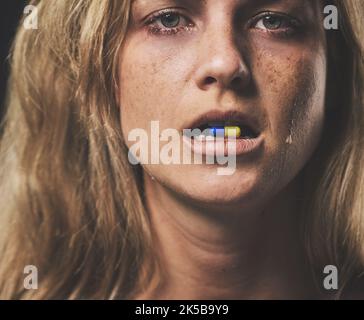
{"x": 279, "y": 24}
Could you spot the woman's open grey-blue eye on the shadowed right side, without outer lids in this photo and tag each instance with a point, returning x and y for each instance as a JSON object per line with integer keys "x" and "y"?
{"x": 275, "y": 22}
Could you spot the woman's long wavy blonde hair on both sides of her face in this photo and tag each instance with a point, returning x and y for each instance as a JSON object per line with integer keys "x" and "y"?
{"x": 71, "y": 203}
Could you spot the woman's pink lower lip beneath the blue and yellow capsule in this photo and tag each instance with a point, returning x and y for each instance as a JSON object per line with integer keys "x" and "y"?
{"x": 224, "y": 147}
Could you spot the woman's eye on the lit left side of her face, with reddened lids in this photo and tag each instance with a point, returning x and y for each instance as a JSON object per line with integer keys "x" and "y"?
{"x": 168, "y": 22}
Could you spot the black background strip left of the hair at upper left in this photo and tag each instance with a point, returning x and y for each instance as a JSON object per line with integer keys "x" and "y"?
{"x": 10, "y": 14}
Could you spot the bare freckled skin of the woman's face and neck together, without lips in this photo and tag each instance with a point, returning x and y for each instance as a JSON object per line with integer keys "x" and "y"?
{"x": 232, "y": 237}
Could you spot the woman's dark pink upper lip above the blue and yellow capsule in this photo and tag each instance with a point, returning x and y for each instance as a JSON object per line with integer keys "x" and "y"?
{"x": 233, "y": 116}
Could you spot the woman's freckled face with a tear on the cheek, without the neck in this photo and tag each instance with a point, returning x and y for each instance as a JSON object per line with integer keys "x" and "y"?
{"x": 262, "y": 60}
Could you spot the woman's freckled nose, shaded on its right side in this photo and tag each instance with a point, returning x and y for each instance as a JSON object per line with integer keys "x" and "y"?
{"x": 221, "y": 62}
